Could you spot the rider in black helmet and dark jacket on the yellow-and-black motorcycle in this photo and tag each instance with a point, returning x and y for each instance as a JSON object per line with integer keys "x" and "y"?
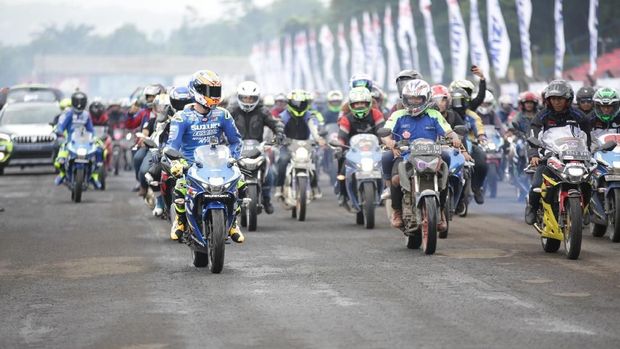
{"x": 558, "y": 113}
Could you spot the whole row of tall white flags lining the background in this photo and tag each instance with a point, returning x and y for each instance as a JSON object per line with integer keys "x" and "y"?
{"x": 316, "y": 59}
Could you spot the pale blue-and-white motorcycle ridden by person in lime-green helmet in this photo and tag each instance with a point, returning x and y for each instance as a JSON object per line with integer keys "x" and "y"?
{"x": 363, "y": 176}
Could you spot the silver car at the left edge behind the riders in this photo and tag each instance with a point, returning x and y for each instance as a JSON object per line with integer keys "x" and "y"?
{"x": 27, "y": 136}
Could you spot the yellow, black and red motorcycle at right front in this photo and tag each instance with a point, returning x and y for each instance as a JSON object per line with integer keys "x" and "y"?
{"x": 564, "y": 191}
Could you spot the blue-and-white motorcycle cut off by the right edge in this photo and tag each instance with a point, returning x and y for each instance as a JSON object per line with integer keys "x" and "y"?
{"x": 605, "y": 202}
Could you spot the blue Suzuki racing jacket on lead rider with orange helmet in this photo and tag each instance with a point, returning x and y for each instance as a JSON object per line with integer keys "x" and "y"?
{"x": 190, "y": 129}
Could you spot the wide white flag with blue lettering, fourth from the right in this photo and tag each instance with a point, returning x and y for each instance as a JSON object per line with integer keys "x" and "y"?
{"x": 499, "y": 42}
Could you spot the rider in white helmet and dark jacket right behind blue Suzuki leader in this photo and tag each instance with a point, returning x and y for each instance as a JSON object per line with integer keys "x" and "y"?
{"x": 251, "y": 117}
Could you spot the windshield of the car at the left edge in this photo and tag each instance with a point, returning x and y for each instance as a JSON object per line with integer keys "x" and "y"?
{"x": 29, "y": 114}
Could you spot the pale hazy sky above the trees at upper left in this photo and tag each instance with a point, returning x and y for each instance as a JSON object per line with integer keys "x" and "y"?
{"x": 19, "y": 19}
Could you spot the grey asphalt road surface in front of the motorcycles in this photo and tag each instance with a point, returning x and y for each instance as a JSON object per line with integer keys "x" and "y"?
{"x": 103, "y": 274}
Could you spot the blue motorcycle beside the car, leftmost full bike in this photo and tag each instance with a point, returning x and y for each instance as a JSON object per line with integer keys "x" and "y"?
{"x": 81, "y": 162}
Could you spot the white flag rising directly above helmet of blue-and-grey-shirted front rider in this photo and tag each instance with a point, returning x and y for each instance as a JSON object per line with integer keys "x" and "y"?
{"x": 407, "y": 40}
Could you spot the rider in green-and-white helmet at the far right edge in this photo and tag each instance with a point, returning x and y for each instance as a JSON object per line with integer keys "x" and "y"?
{"x": 606, "y": 107}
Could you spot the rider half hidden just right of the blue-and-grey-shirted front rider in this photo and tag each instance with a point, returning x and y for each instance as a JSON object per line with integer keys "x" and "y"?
{"x": 460, "y": 104}
